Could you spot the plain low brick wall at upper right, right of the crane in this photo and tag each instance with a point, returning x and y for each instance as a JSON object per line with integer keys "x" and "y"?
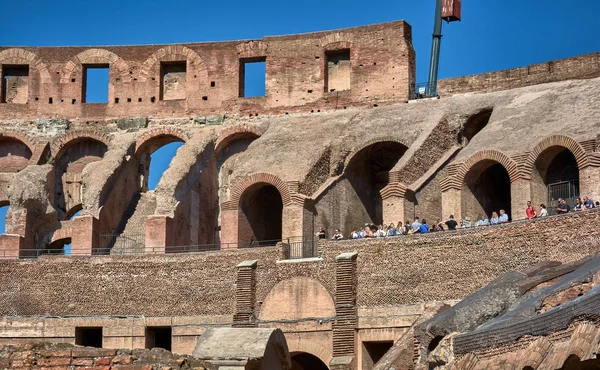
{"x": 583, "y": 66}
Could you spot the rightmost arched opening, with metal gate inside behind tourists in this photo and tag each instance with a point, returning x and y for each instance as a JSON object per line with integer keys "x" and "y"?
{"x": 555, "y": 175}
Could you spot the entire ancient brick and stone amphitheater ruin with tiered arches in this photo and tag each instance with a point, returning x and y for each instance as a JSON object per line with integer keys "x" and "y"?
{"x": 227, "y": 238}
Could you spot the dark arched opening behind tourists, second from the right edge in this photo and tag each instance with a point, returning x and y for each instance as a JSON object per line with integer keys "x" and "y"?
{"x": 486, "y": 189}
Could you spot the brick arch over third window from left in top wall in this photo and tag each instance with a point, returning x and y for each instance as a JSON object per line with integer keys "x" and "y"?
{"x": 173, "y": 53}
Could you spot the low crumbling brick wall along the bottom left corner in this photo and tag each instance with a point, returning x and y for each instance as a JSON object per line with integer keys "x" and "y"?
{"x": 68, "y": 357}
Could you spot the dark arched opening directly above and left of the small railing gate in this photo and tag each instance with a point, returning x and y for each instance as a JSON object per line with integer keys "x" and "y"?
{"x": 261, "y": 215}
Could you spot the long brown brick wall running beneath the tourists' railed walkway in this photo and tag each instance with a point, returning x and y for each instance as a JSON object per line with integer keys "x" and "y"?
{"x": 391, "y": 271}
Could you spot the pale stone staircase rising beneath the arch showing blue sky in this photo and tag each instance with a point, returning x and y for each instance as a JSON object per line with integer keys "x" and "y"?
{"x": 132, "y": 231}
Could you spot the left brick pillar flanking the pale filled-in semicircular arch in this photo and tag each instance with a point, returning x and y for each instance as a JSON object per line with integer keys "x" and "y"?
{"x": 245, "y": 295}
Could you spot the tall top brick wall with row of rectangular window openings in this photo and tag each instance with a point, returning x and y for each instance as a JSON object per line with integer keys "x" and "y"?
{"x": 358, "y": 66}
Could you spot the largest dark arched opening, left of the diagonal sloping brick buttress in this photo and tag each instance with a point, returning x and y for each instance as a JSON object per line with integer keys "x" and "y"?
{"x": 368, "y": 173}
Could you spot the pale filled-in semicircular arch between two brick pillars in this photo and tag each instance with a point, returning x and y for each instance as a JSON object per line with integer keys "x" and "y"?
{"x": 298, "y": 298}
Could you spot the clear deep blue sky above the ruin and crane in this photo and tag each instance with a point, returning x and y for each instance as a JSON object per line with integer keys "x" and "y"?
{"x": 492, "y": 35}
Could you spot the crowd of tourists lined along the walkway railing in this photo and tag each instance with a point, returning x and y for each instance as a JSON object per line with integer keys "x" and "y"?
{"x": 419, "y": 226}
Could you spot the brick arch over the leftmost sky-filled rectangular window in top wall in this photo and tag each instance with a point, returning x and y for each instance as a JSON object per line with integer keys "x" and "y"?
{"x": 94, "y": 56}
